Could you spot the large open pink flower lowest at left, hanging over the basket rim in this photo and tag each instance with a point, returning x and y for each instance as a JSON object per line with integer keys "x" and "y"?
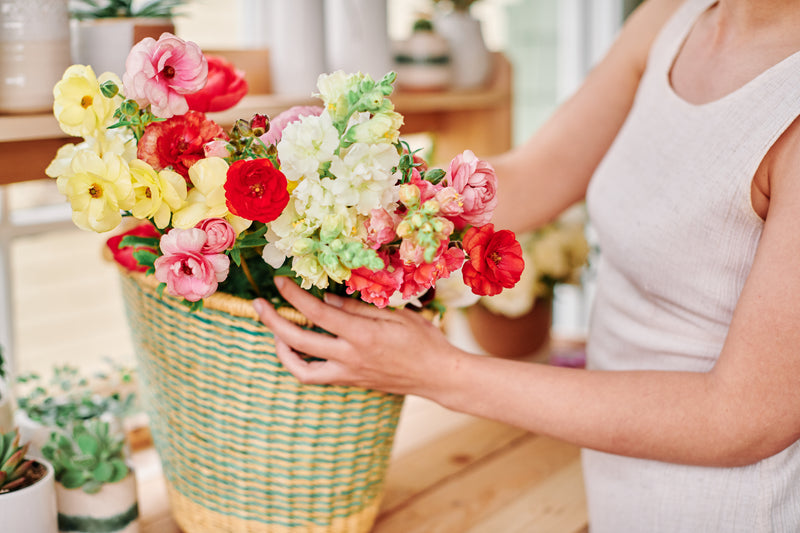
{"x": 188, "y": 272}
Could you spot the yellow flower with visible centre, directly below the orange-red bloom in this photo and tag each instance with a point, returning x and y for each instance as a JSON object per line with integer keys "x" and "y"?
{"x": 157, "y": 194}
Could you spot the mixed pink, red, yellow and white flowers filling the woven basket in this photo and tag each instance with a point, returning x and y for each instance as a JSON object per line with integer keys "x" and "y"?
{"x": 329, "y": 195}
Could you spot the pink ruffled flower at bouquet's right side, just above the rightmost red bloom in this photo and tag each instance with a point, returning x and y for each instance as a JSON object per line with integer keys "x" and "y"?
{"x": 476, "y": 182}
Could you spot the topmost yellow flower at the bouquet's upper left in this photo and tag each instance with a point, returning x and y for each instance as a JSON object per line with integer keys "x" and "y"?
{"x": 79, "y": 106}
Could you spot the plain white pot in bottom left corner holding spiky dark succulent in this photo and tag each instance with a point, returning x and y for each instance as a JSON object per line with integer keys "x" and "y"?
{"x": 32, "y": 508}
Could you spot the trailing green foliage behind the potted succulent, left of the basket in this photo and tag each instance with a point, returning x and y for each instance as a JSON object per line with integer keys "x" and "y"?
{"x": 70, "y": 396}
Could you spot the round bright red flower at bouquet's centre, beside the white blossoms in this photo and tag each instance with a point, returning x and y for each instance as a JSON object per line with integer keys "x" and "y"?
{"x": 256, "y": 190}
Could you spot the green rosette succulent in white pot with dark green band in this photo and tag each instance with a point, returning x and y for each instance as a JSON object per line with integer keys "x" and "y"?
{"x": 95, "y": 488}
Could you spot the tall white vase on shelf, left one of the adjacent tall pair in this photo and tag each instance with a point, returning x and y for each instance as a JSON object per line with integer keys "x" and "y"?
{"x": 297, "y": 54}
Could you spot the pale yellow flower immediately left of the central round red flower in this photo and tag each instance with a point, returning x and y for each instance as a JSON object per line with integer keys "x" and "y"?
{"x": 207, "y": 197}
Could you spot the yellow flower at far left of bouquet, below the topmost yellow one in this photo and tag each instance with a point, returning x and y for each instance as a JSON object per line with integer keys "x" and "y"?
{"x": 97, "y": 188}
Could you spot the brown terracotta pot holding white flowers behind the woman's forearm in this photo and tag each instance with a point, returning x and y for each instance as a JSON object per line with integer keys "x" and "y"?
{"x": 527, "y": 336}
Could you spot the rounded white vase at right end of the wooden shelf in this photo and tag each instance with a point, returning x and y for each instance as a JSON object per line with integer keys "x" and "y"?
{"x": 471, "y": 60}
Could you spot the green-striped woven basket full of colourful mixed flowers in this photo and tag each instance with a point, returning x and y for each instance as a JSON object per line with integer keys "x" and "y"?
{"x": 329, "y": 196}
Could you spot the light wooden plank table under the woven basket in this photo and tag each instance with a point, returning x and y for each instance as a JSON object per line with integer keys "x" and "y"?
{"x": 452, "y": 473}
